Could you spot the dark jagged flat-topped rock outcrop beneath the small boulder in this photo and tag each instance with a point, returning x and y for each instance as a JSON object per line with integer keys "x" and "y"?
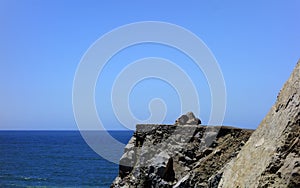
{"x": 179, "y": 156}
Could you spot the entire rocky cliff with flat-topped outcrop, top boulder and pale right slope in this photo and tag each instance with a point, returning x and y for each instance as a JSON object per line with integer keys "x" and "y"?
{"x": 191, "y": 155}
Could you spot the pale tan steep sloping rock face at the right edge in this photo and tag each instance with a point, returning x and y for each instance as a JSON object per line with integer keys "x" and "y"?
{"x": 271, "y": 157}
